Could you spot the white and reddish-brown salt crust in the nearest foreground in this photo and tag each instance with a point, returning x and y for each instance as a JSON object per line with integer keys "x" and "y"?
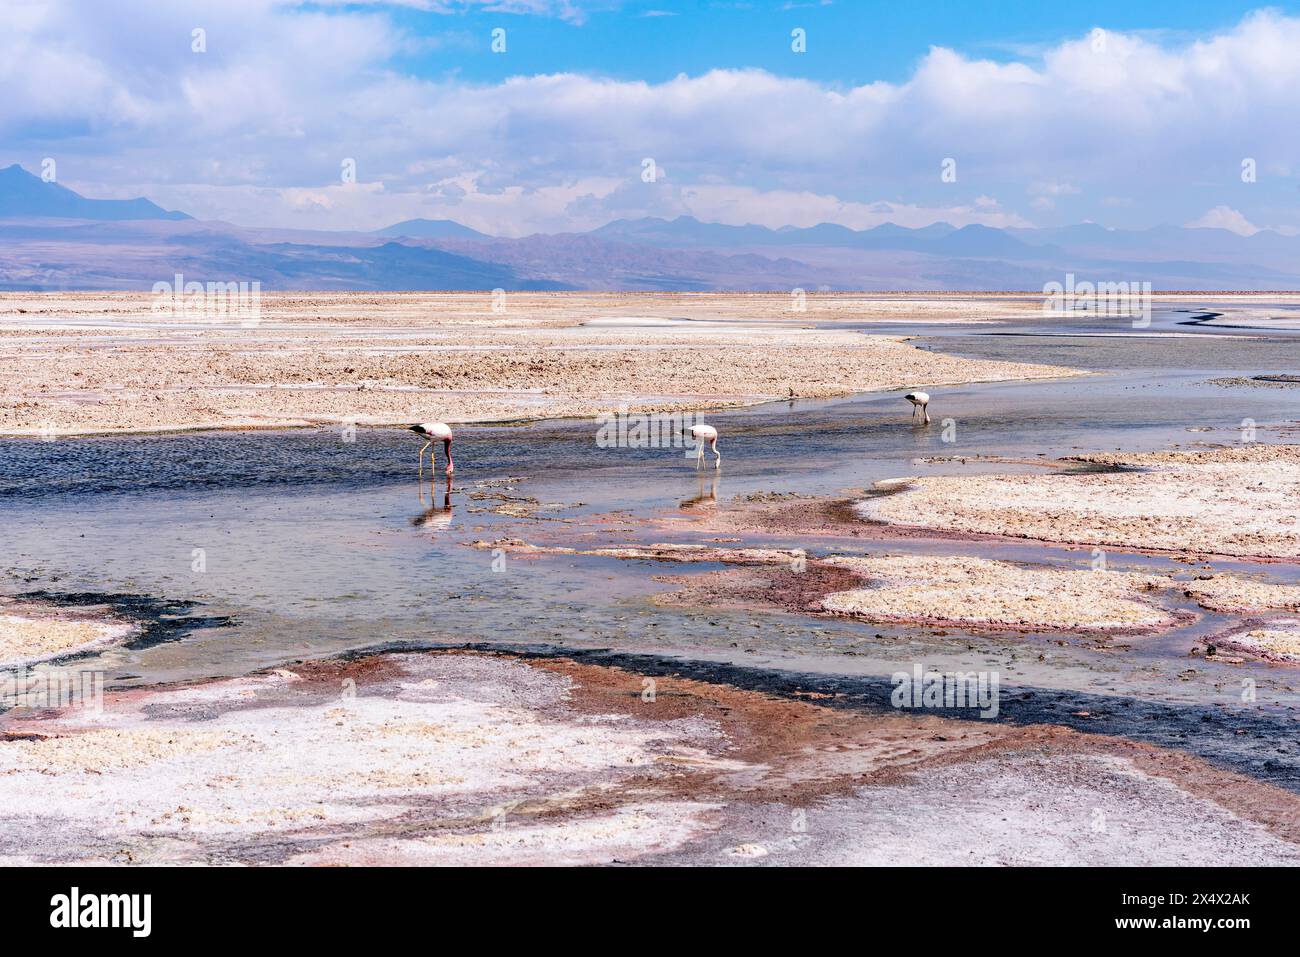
{"x": 487, "y": 760}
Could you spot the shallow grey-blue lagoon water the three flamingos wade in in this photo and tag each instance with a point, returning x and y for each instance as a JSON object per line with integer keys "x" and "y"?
{"x": 278, "y": 547}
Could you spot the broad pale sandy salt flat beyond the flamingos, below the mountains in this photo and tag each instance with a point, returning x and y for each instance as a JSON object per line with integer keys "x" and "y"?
{"x": 107, "y": 363}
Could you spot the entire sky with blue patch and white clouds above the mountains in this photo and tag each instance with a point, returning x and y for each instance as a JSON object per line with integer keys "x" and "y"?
{"x": 1128, "y": 115}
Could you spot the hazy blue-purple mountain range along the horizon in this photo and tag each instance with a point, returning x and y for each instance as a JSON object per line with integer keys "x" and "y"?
{"x": 54, "y": 239}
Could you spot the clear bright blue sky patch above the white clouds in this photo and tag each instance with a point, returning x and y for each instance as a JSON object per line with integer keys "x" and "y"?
{"x": 851, "y": 42}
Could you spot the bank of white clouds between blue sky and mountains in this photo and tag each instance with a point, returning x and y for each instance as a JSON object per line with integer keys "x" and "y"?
{"x": 255, "y": 129}
